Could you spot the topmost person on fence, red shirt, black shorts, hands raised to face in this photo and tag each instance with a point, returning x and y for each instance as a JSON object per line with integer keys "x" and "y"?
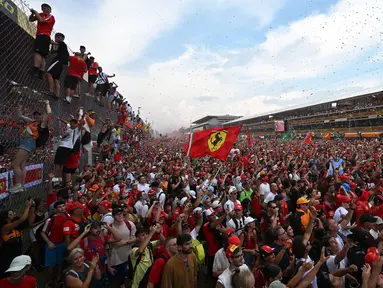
{"x": 45, "y": 23}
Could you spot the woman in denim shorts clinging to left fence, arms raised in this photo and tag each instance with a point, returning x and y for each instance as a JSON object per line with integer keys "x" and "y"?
{"x": 31, "y": 137}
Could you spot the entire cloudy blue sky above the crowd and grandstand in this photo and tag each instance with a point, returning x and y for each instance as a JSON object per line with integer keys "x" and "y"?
{"x": 181, "y": 60}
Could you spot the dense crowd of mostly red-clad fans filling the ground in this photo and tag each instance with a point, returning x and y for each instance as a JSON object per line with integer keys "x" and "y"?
{"x": 275, "y": 214}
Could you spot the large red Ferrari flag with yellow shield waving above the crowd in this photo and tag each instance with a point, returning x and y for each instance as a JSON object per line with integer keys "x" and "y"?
{"x": 216, "y": 142}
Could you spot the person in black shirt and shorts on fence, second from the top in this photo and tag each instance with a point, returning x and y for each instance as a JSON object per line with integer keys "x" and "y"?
{"x": 54, "y": 71}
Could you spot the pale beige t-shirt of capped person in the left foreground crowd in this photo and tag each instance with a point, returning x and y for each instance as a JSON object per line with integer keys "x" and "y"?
{"x": 121, "y": 254}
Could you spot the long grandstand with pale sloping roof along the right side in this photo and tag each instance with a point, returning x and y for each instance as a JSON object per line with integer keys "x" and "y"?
{"x": 348, "y": 115}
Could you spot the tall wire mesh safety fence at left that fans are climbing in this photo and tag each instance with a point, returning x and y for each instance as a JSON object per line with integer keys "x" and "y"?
{"x": 18, "y": 88}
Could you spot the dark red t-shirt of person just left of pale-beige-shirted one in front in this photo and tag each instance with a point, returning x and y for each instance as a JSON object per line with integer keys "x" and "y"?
{"x": 99, "y": 247}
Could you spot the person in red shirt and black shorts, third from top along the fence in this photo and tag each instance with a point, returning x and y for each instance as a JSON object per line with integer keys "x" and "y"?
{"x": 77, "y": 68}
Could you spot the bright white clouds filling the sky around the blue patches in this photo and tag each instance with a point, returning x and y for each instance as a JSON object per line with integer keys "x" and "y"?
{"x": 241, "y": 80}
